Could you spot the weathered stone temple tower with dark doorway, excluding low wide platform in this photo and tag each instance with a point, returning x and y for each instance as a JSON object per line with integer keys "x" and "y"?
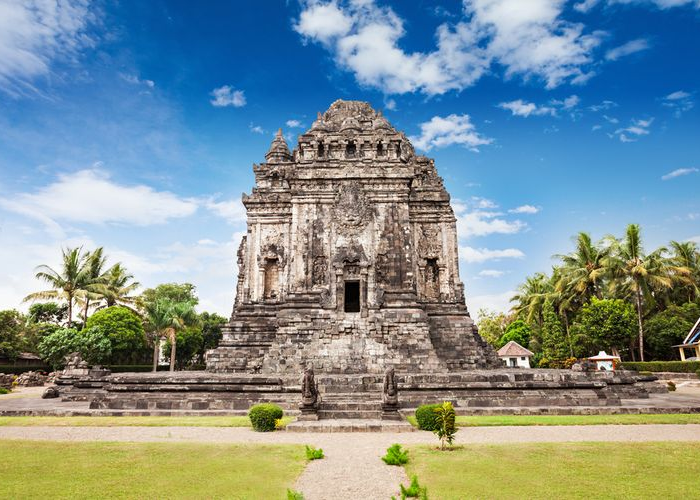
{"x": 350, "y": 259}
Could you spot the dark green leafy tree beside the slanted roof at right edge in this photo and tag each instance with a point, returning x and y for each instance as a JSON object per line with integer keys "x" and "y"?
{"x": 668, "y": 328}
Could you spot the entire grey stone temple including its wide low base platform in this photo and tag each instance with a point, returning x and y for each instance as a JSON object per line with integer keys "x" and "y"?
{"x": 349, "y": 266}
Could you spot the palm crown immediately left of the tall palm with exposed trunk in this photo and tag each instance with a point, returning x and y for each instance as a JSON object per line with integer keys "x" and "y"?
{"x": 583, "y": 270}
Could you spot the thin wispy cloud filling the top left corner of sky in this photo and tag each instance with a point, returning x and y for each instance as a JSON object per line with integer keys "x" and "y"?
{"x": 35, "y": 34}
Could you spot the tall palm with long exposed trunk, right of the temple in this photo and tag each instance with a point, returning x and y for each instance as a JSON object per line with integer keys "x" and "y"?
{"x": 638, "y": 275}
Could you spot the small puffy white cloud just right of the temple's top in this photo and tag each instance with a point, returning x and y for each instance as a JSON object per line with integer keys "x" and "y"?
{"x": 453, "y": 129}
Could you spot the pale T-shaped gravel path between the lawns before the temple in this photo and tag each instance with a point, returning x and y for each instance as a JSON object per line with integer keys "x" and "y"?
{"x": 352, "y": 468}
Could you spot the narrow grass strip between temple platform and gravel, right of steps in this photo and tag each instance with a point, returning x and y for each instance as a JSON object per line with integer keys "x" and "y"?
{"x": 498, "y": 420}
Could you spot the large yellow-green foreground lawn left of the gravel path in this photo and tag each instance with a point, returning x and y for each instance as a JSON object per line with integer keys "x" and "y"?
{"x": 75, "y": 470}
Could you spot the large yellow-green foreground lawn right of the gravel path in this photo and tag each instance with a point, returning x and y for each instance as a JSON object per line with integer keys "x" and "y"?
{"x": 559, "y": 470}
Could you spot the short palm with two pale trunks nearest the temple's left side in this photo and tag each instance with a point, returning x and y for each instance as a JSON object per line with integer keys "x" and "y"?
{"x": 165, "y": 317}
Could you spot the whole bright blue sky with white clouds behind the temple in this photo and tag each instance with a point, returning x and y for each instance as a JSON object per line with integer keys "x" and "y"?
{"x": 134, "y": 125}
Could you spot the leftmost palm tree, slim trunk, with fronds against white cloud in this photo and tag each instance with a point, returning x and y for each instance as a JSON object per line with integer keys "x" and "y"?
{"x": 66, "y": 284}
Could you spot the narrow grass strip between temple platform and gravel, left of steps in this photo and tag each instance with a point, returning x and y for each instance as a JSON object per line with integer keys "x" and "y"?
{"x": 131, "y": 421}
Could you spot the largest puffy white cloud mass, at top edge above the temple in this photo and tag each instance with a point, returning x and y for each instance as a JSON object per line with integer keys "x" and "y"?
{"x": 529, "y": 39}
